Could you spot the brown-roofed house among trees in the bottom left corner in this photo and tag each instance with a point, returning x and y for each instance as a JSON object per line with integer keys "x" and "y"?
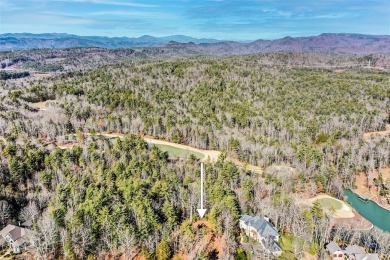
{"x": 16, "y": 237}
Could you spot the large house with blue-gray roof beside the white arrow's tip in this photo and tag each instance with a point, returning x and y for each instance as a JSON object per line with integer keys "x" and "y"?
{"x": 261, "y": 230}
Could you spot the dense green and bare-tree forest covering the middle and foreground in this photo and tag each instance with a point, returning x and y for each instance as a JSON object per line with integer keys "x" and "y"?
{"x": 125, "y": 197}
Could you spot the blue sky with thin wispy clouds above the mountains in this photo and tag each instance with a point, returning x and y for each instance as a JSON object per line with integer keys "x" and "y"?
{"x": 220, "y": 19}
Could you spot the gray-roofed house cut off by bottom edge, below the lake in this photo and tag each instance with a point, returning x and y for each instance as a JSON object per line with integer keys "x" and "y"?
{"x": 351, "y": 252}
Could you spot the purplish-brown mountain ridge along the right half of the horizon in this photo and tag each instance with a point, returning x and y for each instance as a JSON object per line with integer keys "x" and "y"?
{"x": 326, "y": 43}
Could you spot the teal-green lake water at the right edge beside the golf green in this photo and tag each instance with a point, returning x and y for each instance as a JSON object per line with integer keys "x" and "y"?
{"x": 377, "y": 215}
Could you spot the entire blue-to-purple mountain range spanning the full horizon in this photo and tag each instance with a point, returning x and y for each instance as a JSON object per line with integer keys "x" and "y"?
{"x": 329, "y": 43}
